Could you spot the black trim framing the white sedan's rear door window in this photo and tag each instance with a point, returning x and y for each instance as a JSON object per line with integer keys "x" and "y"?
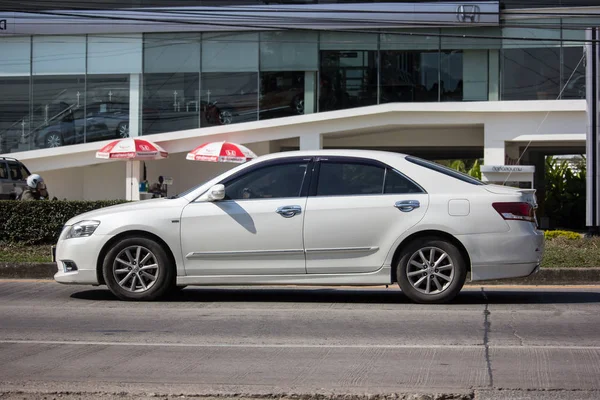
{"x": 356, "y": 160}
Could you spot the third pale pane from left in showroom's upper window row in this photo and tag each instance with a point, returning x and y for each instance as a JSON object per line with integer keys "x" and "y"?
{"x": 115, "y": 54}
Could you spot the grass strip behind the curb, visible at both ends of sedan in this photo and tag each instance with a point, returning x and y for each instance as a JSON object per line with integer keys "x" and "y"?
{"x": 561, "y": 252}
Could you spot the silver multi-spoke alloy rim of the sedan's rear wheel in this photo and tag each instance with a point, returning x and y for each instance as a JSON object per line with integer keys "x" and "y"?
{"x": 430, "y": 270}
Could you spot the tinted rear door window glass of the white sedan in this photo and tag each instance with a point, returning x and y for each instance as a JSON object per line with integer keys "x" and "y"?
{"x": 351, "y": 179}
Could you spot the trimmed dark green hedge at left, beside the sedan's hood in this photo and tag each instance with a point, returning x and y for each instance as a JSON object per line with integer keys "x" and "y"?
{"x": 40, "y": 222}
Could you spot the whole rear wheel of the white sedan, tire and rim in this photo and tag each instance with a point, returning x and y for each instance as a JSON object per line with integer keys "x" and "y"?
{"x": 415, "y": 290}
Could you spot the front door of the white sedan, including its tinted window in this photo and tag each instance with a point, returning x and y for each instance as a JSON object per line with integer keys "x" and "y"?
{"x": 256, "y": 229}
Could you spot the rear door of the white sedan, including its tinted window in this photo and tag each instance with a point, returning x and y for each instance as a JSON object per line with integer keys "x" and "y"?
{"x": 357, "y": 208}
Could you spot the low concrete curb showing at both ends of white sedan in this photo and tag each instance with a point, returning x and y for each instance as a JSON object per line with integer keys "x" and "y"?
{"x": 546, "y": 276}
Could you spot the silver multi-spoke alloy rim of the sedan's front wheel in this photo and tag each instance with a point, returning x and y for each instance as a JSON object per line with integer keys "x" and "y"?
{"x": 135, "y": 269}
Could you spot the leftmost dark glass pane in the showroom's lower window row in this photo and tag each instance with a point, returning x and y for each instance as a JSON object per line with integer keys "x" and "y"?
{"x": 14, "y": 113}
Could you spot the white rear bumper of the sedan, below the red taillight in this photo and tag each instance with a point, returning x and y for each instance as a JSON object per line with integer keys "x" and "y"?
{"x": 514, "y": 254}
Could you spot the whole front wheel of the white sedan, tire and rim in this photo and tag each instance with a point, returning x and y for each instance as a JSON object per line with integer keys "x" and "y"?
{"x": 138, "y": 269}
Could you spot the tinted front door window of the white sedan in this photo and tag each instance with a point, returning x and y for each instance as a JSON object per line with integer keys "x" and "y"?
{"x": 271, "y": 182}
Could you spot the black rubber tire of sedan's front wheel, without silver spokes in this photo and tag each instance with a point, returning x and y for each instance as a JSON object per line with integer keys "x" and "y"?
{"x": 164, "y": 270}
